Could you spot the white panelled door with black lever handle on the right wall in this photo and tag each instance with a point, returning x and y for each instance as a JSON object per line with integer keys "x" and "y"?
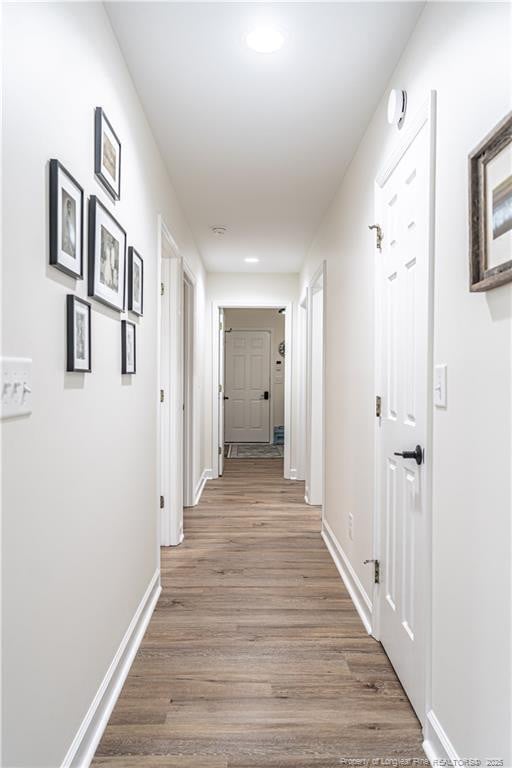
{"x": 404, "y": 278}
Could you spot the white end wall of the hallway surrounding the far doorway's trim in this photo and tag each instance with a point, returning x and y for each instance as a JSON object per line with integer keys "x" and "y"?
{"x": 249, "y": 290}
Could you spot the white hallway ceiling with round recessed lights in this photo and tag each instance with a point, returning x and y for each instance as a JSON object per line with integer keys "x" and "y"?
{"x": 258, "y": 143}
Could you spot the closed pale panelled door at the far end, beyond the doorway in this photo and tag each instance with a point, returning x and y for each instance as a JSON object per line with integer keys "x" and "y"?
{"x": 247, "y": 404}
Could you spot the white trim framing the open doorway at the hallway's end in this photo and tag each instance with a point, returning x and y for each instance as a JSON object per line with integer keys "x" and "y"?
{"x": 288, "y": 336}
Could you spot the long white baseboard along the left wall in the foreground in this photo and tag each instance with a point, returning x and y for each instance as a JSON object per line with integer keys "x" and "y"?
{"x": 85, "y": 743}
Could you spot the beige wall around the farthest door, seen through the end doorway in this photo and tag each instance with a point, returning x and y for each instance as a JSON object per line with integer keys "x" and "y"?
{"x": 267, "y": 320}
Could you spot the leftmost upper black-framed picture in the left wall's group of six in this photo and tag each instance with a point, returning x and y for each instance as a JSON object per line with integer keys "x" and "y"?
{"x": 66, "y": 221}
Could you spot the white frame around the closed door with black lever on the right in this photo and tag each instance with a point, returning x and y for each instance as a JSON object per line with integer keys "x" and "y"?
{"x": 425, "y": 115}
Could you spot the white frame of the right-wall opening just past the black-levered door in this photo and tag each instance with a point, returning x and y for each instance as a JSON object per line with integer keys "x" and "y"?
{"x": 320, "y": 275}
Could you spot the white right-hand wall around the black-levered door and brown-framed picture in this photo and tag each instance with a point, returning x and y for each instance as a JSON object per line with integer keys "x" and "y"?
{"x": 457, "y": 49}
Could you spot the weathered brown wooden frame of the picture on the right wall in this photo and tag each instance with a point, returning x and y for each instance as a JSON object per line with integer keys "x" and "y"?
{"x": 483, "y": 276}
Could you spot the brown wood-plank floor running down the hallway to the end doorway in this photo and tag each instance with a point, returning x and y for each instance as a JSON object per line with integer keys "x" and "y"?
{"x": 255, "y": 656}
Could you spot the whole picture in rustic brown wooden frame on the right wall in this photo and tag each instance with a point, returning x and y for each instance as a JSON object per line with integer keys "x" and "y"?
{"x": 490, "y": 209}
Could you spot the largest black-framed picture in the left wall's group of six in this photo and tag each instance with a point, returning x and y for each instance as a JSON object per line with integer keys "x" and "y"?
{"x": 107, "y": 256}
